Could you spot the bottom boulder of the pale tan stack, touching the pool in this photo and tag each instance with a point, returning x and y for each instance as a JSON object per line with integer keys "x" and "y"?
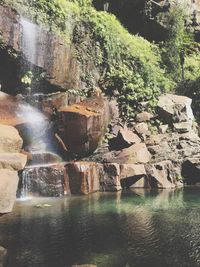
{"x": 8, "y": 188}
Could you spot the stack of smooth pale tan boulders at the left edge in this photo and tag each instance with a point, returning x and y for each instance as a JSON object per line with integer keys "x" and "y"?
{"x": 11, "y": 161}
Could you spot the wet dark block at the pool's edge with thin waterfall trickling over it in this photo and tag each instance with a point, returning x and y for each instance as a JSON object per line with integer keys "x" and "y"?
{"x": 46, "y": 181}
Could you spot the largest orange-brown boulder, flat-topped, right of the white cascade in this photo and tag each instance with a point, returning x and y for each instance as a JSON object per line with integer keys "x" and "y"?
{"x": 83, "y": 125}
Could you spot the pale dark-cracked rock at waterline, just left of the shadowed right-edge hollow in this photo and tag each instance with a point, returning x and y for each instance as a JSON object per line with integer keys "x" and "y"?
{"x": 161, "y": 175}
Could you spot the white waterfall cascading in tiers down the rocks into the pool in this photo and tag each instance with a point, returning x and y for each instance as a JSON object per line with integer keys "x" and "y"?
{"x": 38, "y": 127}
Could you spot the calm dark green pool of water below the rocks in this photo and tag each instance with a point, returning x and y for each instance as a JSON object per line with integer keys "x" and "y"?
{"x": 135, "y": 228}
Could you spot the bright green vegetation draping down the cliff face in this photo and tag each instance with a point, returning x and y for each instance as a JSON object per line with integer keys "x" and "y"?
{"x": 130, "y": 68}
